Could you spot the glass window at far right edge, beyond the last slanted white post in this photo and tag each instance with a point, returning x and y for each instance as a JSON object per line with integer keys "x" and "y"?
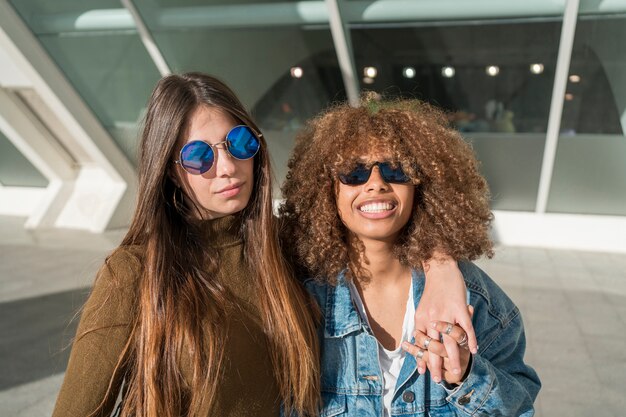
{"x": 590, "y": 167}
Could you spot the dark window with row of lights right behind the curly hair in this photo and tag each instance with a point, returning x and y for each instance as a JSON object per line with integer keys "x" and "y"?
{"x": 494, "y": 77}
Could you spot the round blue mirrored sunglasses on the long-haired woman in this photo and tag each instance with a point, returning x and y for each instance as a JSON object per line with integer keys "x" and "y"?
{"x": 197, "y": 156}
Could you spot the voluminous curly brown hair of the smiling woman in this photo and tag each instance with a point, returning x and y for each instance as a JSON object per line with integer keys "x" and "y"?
{"x": 451, "y": 209}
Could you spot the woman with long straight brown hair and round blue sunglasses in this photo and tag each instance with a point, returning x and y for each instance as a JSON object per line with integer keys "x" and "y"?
{"x": 196, "y": 312}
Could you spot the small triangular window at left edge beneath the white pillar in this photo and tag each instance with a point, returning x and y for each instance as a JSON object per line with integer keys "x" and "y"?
{"x": 15, "y": 170}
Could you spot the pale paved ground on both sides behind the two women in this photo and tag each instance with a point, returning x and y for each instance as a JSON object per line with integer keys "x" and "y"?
{"x": 573, "y": 304}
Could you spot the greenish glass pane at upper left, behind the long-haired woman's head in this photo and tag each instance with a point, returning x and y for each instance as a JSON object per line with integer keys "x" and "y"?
{"x": 96, "y": 46}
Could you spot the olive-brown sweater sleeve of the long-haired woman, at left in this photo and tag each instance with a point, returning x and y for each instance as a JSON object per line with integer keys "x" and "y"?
{"x": 102, "y": 333}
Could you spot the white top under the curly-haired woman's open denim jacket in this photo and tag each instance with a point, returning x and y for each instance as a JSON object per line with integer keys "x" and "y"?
{"x": 390, "y": 360}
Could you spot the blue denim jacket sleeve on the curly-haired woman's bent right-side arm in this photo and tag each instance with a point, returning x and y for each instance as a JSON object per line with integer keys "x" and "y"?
{"x": 499, "y": 382}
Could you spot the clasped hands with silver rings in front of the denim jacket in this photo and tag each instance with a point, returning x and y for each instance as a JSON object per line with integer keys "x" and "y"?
{"x": 426, "y": 348}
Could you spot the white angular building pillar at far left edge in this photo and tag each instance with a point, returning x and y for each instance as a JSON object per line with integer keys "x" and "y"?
{"x": 94, "y": 187}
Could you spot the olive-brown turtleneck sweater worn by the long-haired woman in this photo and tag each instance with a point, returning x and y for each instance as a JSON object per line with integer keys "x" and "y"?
{"x": 247, "y": 386}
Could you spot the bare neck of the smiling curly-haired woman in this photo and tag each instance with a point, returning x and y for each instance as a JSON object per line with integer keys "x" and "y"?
{"x": 376, "y": 264}
